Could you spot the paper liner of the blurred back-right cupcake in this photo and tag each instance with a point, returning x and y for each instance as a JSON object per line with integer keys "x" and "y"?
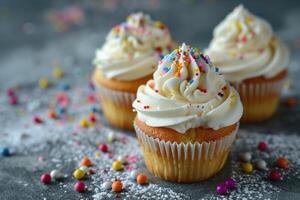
{"x": 260, "y": 100}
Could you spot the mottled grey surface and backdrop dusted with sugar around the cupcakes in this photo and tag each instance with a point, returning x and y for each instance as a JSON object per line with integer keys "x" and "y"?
{"x": 33, "y": 41}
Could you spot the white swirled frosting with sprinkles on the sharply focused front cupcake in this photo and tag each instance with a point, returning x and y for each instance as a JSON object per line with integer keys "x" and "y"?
{"x": 187, "y": 92}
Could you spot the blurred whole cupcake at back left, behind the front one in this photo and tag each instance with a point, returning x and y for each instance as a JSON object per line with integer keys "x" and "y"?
{"x": 126, "y": 60}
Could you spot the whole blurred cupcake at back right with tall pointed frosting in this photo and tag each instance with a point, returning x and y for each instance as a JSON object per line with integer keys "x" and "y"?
{"x": 253, "y": 59}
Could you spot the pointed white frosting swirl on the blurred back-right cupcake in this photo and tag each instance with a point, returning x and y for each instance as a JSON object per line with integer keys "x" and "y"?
{"x": 244, "y": 46}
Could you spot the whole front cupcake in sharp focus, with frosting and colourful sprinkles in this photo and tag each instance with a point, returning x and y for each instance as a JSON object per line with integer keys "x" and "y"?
{"x": 187, "y": 117}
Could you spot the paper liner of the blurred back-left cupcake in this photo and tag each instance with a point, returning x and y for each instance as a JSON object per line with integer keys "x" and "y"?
{"x": 117, "y": 107}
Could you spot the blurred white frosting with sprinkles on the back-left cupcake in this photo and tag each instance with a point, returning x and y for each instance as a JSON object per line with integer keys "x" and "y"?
{"x": 133, "y": 48}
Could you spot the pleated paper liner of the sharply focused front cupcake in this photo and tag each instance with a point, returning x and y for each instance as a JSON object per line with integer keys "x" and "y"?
{"x": 184, "y": 162}
